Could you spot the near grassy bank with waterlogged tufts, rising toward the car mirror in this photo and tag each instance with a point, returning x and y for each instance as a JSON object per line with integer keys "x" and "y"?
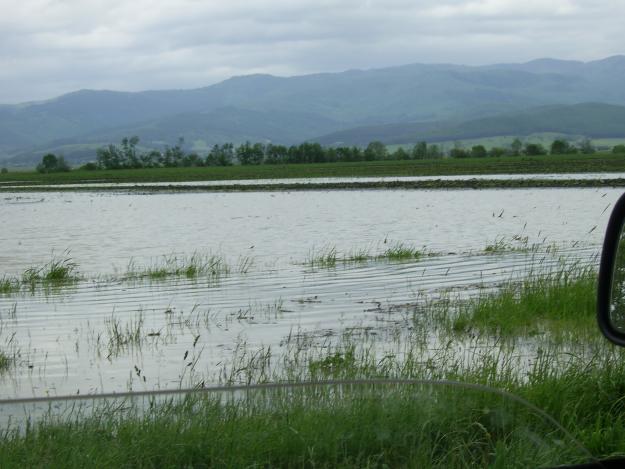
{"x": 535, "y": 338}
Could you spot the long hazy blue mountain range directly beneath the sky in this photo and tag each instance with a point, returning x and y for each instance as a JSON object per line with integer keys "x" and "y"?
{"x": 289, "y": 110}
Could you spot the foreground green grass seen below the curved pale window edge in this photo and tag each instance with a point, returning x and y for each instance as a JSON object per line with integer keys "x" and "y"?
{"x": 336, "y": 427}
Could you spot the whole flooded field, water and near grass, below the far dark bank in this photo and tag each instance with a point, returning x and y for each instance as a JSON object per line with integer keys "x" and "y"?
{"x": 487, "y": 287}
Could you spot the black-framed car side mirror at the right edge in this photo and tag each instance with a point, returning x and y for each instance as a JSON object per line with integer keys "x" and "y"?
{"x": 611, "y": 287}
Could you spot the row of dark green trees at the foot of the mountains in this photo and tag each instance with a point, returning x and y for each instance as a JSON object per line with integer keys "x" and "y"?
{"x": 126, "y": 155}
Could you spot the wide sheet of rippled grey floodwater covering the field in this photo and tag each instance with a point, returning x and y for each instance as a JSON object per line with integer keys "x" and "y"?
{"x": 190, "y": 329}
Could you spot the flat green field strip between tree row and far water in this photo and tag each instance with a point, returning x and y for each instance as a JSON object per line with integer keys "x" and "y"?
{"x": 600, "y": 162}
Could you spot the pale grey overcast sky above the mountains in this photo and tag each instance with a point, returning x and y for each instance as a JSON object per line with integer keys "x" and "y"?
{"x": 50, "y": 47}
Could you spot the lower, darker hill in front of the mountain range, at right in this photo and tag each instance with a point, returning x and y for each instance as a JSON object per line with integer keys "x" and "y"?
{"x": 593, "y": 120}
